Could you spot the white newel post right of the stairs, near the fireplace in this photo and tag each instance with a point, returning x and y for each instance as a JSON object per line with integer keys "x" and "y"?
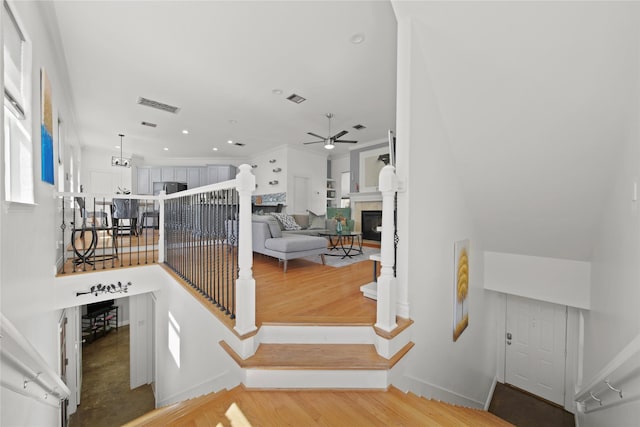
{"x": 387, "y": 286}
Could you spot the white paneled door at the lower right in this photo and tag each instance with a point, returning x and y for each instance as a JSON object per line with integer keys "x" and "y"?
{"x": 535, "y": 347}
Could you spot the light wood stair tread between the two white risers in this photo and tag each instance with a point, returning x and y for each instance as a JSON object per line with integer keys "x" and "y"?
{"x": 317, "y": 357}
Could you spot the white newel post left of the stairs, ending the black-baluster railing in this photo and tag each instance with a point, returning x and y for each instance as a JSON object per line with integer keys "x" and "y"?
{"x": 245, "y": 285}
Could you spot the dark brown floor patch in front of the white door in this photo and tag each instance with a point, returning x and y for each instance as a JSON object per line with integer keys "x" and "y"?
{"x": 524, "y": 410}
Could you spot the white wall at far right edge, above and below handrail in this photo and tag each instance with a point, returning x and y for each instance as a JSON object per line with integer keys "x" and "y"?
{"x": 614, "y": 319}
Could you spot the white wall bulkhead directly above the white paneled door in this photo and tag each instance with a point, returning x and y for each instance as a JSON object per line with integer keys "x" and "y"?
{"x": 559, "y": 281}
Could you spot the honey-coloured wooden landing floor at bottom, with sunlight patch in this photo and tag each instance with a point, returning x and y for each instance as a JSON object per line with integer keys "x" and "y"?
{"x": 245, "y": 407}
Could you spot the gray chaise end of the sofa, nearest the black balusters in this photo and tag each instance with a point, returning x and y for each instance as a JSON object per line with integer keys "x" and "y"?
{"x": 268, "y": 239}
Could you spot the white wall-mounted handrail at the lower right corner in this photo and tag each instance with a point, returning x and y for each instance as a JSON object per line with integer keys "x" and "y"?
{"x": 616, "y": 383}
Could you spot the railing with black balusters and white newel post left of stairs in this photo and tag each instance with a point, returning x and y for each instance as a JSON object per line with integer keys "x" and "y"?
{"x": 208, "y": 243}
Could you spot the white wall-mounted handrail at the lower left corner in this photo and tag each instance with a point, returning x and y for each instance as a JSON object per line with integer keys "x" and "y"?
{"x": 18, "y": 353}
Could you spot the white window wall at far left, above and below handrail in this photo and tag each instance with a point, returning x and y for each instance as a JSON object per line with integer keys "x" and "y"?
{"x": 29, "y": 232}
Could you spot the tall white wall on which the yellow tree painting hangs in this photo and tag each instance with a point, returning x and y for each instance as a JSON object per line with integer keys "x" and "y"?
{"x": 462, "y": 371}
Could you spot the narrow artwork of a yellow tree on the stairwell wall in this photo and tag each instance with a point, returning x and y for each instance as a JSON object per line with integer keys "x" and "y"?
{"x": 460, "y": 288}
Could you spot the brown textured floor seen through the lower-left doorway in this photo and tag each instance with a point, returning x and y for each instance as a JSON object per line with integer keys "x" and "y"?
{"x": 106, "y": 399}
